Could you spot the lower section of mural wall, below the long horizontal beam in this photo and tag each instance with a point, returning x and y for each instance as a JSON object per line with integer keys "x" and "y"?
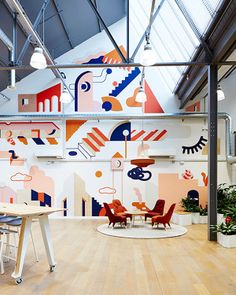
{"x": 105, "y": 160}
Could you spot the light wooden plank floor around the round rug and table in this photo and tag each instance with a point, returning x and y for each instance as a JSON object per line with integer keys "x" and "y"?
{"x": 91, "y": 263}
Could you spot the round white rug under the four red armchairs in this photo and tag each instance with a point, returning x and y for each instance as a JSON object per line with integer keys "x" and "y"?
{"x": 142, "y": 231}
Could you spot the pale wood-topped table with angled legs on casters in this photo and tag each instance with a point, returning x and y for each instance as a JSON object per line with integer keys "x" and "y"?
{"x": 28, "y": 213}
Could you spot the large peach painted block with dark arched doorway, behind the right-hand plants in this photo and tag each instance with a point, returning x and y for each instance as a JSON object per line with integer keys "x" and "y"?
{"x": 172, "y": 189}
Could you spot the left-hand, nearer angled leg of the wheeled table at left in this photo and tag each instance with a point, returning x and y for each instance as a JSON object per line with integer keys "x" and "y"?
{"x": 22, "y": 247}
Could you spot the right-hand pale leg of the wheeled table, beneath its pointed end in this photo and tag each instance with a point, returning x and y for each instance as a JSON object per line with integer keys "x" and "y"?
{"x": 44, "y": 224}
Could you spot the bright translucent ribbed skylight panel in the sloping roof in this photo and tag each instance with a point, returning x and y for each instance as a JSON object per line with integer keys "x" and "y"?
{"x": 175, "y": 32}
